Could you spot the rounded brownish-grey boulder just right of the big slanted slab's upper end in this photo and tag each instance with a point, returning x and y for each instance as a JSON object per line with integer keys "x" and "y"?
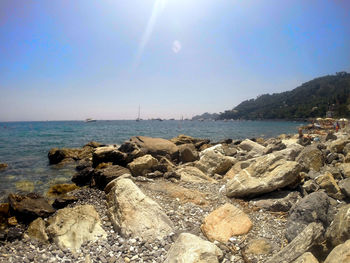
{"x": 311, "y": 158}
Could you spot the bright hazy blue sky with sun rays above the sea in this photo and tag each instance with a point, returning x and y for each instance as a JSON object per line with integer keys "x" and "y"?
{"x": 103, "y": 59}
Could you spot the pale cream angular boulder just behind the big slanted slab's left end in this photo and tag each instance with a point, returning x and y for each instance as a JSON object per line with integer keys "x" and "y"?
{"x": 212, "y": 161}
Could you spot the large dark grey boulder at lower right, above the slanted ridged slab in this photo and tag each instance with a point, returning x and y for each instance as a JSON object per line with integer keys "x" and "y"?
{"x": 312, "y": 208}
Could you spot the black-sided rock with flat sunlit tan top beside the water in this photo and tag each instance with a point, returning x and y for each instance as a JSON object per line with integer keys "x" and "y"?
{"x": 108, "y": 154}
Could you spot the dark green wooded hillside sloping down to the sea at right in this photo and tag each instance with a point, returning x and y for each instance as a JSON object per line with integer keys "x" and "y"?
{"x": 311, "y": 99}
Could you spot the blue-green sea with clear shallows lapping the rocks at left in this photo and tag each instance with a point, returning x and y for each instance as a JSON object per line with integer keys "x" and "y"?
{"x": 24, "y": 145}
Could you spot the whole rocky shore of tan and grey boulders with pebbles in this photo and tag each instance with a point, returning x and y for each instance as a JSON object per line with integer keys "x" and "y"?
{"x": 283, "y": 199}
